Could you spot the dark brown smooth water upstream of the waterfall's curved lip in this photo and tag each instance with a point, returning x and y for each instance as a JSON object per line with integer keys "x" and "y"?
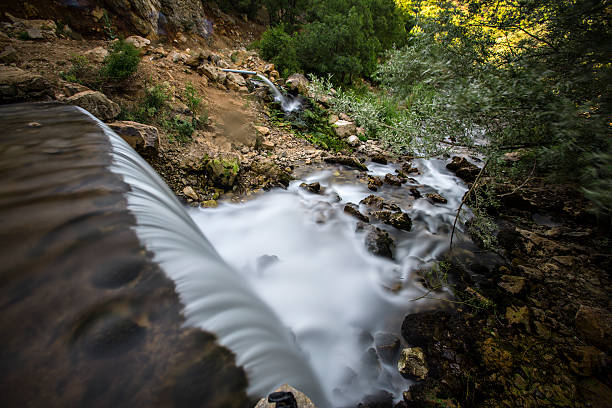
{"x": 87, "y": 318}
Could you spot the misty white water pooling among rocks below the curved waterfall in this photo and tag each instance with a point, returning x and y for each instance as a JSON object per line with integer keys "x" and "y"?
{"x": 302, "y": 256}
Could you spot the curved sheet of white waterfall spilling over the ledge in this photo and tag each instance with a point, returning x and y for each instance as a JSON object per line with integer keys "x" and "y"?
{"x": 216, "y": 298}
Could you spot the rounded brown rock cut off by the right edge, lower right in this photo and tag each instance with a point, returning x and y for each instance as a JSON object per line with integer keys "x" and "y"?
{"x": 595, "y": 326}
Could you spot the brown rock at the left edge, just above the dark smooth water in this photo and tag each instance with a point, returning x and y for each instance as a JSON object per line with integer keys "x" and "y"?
{"x": 17, "y": 85}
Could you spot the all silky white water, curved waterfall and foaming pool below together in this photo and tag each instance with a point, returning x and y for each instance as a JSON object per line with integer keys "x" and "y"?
{"x": 285, "y": 282}
